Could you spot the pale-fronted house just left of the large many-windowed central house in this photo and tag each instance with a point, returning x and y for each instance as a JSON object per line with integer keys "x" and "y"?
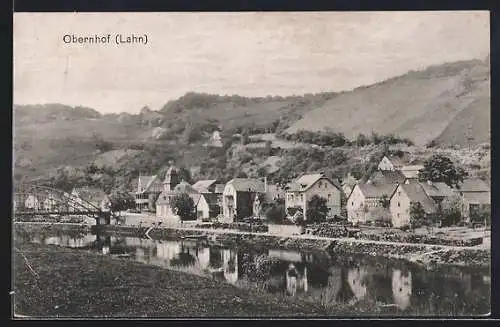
{"x": 239, "y": 196}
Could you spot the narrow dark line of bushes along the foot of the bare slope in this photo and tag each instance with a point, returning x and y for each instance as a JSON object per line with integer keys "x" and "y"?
{"x": 328, "y": 137}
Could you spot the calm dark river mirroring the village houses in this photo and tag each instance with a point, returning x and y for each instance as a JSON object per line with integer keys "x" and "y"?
{"x": 317, "y": 277}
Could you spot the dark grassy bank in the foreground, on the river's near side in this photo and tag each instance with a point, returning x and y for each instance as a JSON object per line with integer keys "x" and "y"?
{"x": 60, "y": 282}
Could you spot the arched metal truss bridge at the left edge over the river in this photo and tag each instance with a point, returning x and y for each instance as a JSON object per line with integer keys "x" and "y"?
{"x": 30, "y": 200}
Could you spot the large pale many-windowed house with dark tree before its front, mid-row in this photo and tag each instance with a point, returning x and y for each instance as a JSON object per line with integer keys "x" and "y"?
{"x": 300, "y": 191}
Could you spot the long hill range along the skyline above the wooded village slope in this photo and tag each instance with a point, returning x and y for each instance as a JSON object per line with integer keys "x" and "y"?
{"x": 447, "y": 104}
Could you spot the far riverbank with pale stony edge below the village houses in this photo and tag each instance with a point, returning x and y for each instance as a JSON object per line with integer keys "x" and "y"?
{"x": 422, "y": 254}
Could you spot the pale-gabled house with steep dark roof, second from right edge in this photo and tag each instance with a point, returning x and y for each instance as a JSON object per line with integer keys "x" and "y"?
{"x": 402, "y": 199}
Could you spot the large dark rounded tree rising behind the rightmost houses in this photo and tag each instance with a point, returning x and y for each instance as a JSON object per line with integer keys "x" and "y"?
{"x": 439, "y": 168}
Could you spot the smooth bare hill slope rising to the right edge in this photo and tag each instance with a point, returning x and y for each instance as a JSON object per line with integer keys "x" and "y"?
{"x": 436, "y": 103}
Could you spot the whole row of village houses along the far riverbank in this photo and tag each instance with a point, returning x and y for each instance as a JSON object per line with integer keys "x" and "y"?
{"x": 239, "y": 198}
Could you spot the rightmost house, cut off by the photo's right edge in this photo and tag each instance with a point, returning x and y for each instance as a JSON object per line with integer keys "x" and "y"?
{"x": 474, "y": 194}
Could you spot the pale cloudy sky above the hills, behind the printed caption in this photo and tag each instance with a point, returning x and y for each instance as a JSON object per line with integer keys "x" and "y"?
{"x": 250, "y": 54}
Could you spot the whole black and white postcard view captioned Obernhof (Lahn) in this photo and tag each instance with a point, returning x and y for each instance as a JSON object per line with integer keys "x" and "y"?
{"x": 251, "y": 165}
